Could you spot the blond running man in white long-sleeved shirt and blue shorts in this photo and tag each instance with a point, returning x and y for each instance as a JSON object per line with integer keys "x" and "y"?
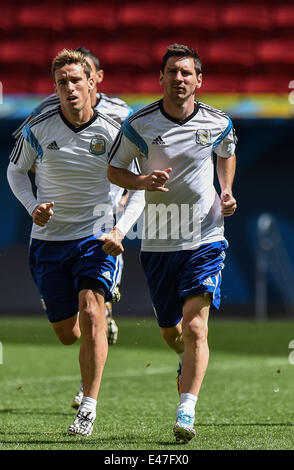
{"x": 74, "y": 244}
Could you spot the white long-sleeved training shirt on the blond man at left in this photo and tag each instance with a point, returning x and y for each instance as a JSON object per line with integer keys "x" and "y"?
{"x": 71, "y": 170}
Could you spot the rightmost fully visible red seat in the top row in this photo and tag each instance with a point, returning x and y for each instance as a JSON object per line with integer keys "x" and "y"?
{"x": 246, "y": 17}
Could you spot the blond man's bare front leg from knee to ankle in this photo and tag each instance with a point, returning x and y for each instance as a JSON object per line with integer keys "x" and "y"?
{"x": 94, "y": 345}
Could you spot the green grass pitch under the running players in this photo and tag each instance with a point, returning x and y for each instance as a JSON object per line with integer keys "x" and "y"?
{"x": 246, "y": 401}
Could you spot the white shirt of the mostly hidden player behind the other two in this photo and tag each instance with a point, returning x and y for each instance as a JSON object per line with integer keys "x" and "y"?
{"x": 112, "y": 106}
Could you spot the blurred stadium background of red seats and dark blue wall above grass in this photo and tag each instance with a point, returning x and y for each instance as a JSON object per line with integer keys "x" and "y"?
{"x": 247, "y": 50}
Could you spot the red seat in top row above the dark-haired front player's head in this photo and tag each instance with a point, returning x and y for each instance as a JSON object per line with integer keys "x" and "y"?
{"x": 194, "y": 16}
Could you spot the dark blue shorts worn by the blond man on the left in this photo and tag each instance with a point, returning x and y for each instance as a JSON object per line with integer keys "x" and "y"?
{"x": 58, "y": 266}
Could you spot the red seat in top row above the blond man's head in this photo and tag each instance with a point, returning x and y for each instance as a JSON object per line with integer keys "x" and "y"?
{"x": 98, "y": 17}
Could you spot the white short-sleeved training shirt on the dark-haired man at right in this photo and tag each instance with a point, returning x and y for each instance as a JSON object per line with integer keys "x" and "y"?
{"x": 189, "y": 214}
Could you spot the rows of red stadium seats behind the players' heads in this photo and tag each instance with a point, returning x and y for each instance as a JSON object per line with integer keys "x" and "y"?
{"x": 250, "y": 42}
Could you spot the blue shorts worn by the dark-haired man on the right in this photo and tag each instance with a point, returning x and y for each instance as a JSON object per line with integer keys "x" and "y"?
{"x": 172, "y": 276}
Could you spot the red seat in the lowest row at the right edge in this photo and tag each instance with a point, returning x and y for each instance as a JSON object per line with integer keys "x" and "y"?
{"x": 266, "y": 84}
